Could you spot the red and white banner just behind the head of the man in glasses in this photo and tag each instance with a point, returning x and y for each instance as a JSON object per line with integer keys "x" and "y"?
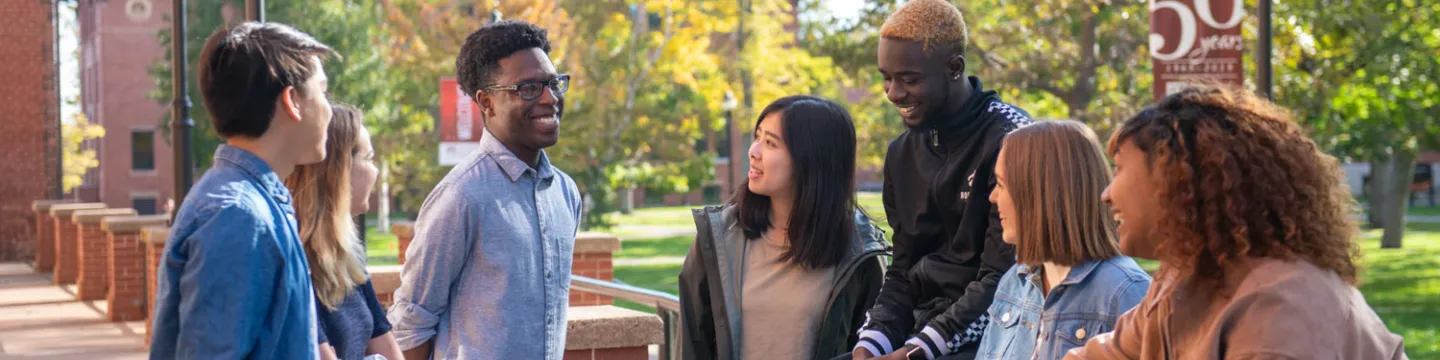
{"x": 462, "y": 123}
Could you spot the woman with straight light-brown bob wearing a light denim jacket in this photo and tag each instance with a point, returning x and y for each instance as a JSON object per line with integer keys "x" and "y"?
{"x": 1071, "y": 282}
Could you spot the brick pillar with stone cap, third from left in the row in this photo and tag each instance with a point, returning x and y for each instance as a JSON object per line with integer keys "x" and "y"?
{"x": 93, "y": 250}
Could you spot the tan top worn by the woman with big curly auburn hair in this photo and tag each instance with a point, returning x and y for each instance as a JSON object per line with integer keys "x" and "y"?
{"x": 1269, "y": 309}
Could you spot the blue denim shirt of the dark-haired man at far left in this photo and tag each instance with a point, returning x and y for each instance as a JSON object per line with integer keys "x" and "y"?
{"x": 234, "y": 282}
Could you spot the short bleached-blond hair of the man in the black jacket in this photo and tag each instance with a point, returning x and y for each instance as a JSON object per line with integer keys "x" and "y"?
{"x": 928, "y": 22}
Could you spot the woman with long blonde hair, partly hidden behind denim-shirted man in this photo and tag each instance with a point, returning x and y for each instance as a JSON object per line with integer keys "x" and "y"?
{"x": 328, "y": 197}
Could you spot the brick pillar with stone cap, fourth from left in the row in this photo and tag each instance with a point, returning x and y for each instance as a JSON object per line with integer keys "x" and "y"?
{"x": 127, "y": 266}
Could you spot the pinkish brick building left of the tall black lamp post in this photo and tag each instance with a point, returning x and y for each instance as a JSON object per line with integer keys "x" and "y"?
{"x": 119, "y": 45}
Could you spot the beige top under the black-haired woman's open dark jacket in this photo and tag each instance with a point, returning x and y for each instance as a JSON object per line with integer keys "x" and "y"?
{"x": 781, "y": 303}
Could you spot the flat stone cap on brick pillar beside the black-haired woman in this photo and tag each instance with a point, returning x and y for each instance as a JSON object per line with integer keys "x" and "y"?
{"x": 611, "y": 328}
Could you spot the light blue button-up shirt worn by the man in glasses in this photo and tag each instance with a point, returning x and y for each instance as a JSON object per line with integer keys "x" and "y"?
{"x": 489, "y": 271}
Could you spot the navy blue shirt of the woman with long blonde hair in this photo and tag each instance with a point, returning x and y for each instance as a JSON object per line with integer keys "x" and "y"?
{"x": 351, "y": 326}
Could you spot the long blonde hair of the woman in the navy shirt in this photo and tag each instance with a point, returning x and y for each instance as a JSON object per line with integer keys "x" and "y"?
{"x": 322, "y": 194}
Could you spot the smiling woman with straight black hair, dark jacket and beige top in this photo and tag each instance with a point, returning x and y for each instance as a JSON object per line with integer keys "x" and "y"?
{"x": 788, "y": 269}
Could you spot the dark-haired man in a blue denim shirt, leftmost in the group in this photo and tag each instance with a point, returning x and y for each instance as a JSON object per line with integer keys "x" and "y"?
{"x": 234, "y": 282}
